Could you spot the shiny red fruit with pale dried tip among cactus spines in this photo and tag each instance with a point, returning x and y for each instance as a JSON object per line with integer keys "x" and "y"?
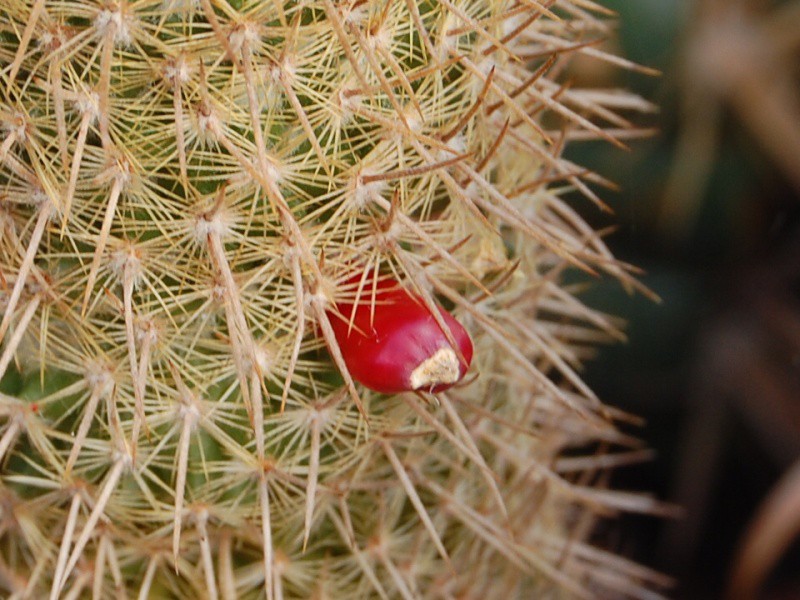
{"x": 395, "y": 344}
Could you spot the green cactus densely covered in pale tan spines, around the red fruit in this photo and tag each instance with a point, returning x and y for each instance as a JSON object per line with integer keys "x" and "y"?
{"x": 190, "y": 189}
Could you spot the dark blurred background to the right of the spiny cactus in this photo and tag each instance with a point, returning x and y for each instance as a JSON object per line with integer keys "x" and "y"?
{"x": 710, "y": 209}
